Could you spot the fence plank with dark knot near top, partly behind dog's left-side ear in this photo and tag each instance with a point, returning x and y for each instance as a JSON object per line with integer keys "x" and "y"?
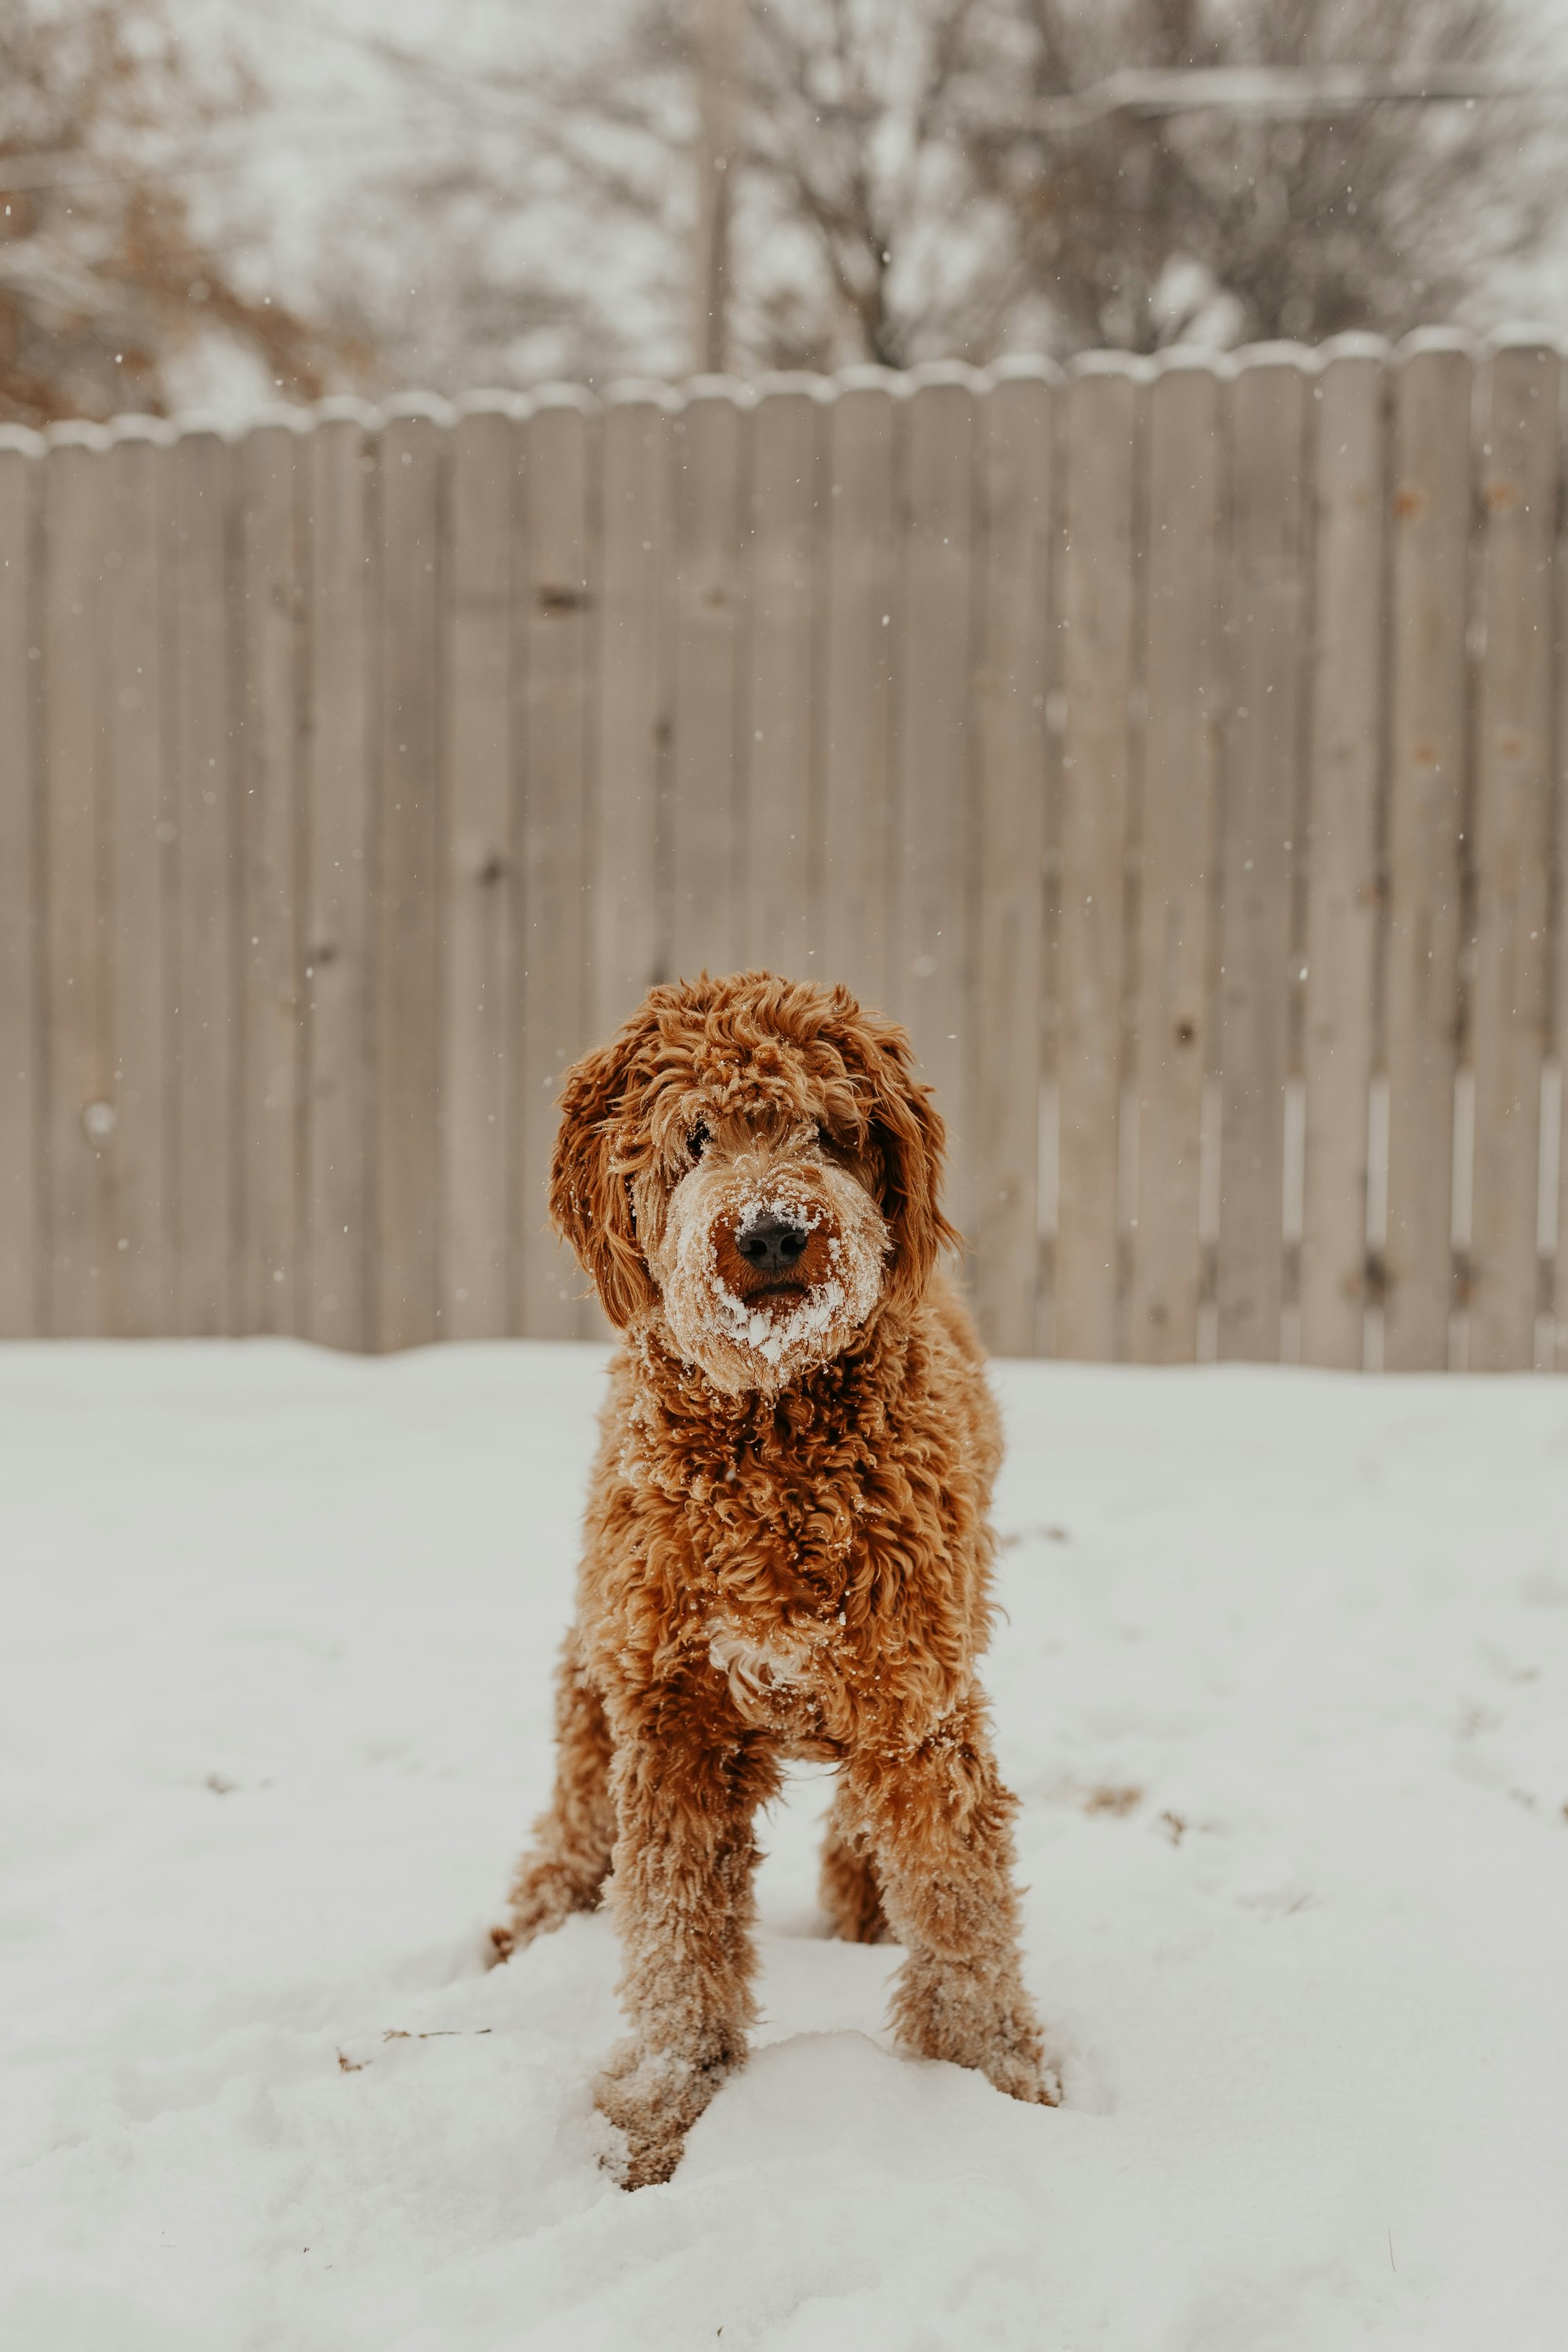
{"x": 561, "y": 1008}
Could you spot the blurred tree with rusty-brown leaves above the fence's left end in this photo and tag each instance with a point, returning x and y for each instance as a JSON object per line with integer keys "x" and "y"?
{"x": 102, "y": 274}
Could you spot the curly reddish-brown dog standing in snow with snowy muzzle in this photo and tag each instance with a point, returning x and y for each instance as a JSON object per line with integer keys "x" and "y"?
{"x": 786, "y": 1549}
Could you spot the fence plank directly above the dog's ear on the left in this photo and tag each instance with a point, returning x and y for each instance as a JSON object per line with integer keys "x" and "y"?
{"x": 636, "y": 700}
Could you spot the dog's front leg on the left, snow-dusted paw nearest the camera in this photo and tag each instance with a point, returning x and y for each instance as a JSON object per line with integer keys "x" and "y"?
{"x": 683, "y": 1895}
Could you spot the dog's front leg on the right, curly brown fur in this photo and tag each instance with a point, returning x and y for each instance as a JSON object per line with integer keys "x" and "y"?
{"x": 942, "y": 1826}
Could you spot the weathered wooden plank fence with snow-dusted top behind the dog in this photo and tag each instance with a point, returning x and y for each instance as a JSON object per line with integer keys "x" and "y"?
{"x": 1177, "y": 749}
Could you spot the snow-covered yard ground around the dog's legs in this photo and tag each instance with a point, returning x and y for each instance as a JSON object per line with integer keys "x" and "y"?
{"x": 1282, "y": 1685}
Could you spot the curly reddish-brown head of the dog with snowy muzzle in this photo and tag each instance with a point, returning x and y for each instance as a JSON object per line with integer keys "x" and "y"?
{"x": 758, "y": 1163}
